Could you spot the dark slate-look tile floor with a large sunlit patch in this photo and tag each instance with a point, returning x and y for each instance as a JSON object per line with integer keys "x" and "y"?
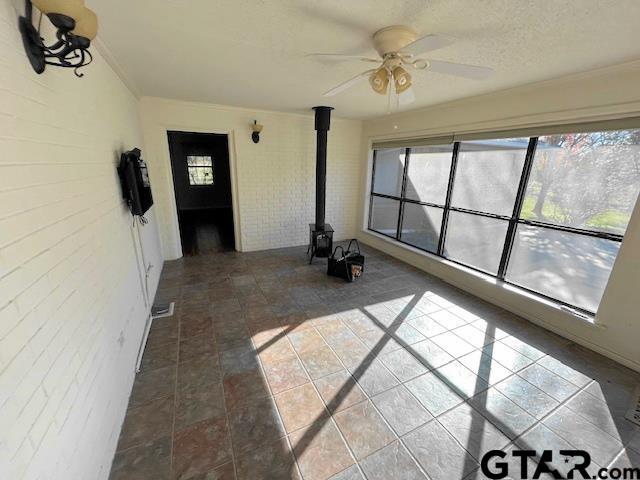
{"x": 272, "y": 370}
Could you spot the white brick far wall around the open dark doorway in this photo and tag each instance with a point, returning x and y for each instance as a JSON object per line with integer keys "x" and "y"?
{"x": 273, "y": 181}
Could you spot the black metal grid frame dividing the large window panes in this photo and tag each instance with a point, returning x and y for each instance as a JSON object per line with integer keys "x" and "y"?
{"x": 514, "y": 219}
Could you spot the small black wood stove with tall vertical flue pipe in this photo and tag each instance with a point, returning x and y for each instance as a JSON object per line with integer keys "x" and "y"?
{"x": 321, "y": 233}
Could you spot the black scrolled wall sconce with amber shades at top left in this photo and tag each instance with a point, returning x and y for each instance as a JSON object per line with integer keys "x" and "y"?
{"x": 76, "y": 26}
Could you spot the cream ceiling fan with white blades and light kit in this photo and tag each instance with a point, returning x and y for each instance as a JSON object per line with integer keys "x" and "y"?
{"x": 399, "y": 48}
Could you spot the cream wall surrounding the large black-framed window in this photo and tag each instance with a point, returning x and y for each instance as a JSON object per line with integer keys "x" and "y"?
{"x": 603, "y": 94}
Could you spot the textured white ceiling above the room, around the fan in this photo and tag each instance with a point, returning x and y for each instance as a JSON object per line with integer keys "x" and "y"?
{"x": 251, "y": 53}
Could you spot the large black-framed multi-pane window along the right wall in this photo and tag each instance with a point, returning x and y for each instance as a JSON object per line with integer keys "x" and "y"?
{"x": 544, "y": 213}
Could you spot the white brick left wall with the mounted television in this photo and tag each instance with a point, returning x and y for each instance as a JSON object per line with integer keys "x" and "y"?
{"x": 71, "y": 299}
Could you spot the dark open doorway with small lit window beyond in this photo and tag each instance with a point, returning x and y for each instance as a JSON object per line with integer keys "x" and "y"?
{"x": 202, "y": 184}
